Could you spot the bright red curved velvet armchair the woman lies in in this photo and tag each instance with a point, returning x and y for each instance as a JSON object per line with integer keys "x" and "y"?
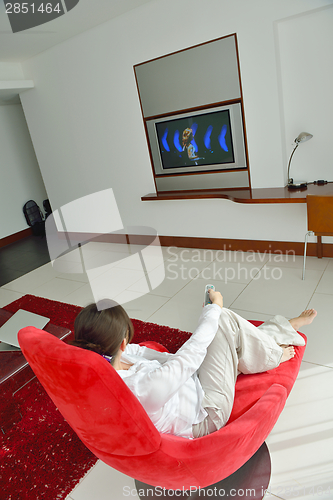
{"x": 111, "y": 422}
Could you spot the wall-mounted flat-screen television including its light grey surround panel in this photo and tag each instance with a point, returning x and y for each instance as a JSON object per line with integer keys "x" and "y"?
{"x": 210, "y": 139}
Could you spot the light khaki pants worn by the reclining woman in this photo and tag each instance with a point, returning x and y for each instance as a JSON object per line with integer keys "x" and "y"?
{"x": 238, "y": 347}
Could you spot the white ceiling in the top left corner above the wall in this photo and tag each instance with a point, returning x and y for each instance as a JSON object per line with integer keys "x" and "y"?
{"x": 17, "y": 47}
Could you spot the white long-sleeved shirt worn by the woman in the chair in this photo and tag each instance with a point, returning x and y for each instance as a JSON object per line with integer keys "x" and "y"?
{"x": 167, "y": 384}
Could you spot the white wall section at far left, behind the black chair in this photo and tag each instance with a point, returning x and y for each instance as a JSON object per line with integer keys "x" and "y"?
{"x": 20, "y": 177}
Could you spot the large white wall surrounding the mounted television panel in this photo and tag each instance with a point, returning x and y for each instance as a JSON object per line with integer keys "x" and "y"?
{"x": 85, "y": 120}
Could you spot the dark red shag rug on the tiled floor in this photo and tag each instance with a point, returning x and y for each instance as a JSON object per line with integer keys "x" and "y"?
{"x": 41, "y": 457}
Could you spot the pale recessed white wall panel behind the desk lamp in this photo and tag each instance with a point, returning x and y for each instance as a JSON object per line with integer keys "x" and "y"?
{"x": 305, "y": 45}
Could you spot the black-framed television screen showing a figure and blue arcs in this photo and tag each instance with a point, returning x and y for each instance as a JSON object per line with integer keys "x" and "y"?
{"x": 196, "y": 140}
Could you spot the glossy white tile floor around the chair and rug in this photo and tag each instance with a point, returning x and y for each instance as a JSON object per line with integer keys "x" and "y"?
{"x": 254, "y": 285}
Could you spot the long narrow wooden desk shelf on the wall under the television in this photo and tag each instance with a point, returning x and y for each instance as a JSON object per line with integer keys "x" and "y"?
{"x": 265, "y": 195}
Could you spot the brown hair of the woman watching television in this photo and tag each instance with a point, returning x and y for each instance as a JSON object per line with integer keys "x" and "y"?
{"x": 102, "y": 329}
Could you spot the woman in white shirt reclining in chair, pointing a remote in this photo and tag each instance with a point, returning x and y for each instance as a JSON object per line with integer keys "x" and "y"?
{"x": 190, "y": 393}
